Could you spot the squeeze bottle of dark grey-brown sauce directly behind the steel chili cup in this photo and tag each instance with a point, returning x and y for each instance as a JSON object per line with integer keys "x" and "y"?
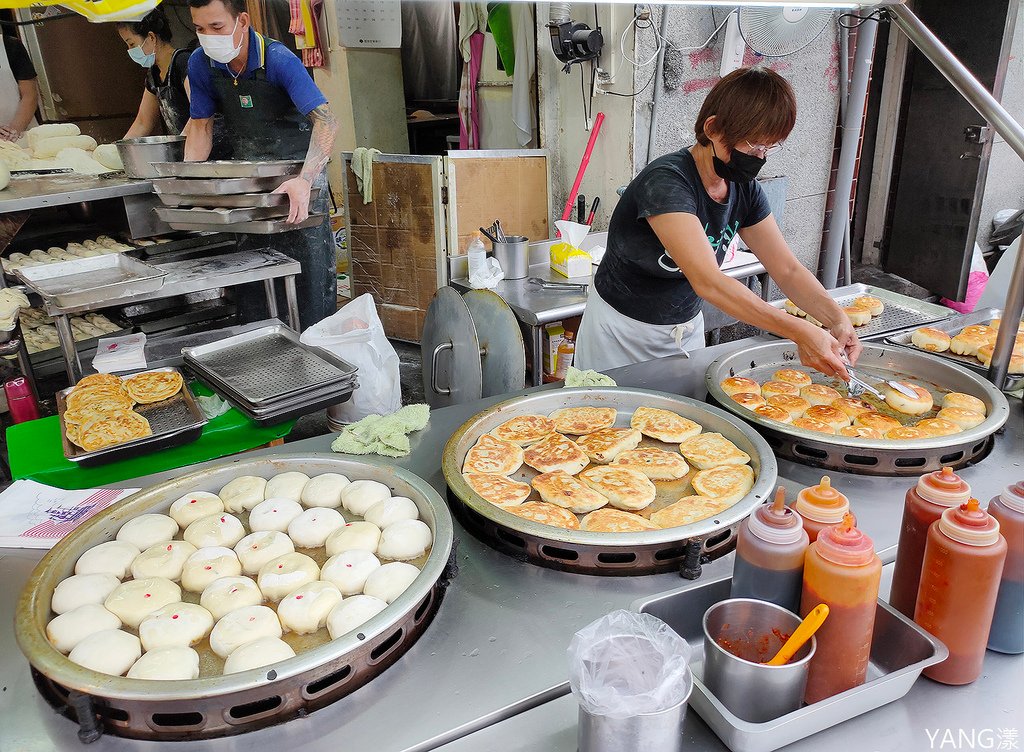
{"x": 771, "y": 549}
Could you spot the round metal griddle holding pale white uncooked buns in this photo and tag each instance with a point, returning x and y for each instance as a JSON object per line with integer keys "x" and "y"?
{"x": 249, "y": 700}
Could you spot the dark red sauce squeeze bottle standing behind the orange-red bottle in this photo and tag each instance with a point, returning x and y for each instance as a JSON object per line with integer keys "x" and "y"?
{"x": 925, "y": 504}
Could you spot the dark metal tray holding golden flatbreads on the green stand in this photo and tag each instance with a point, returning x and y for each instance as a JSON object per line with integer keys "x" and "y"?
{"x": 176, "y": 422}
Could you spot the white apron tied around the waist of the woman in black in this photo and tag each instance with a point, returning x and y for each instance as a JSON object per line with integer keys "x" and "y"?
{"x": 608, "y": 340}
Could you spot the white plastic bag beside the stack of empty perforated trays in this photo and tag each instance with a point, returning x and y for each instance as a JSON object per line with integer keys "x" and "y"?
{"x": 357, "y": 336}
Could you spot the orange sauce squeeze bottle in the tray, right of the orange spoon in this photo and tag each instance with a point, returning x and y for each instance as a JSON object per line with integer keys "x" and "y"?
{"x": 842, "y": 571}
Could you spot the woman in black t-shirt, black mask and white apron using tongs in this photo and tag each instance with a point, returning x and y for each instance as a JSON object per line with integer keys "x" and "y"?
{"x": 670, "y": 232}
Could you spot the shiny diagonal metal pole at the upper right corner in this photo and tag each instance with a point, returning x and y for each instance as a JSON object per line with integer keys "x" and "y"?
{"x": 962, "y": 79}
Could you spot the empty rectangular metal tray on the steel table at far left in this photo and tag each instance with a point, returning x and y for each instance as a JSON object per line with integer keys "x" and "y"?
{"x": 93, "y": 281}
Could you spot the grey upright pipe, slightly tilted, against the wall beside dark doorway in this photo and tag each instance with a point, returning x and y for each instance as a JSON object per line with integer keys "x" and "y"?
{"x": 840, "y": 222}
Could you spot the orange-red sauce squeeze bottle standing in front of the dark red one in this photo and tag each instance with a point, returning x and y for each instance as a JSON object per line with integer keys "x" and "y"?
{"x": 959, "y": 582}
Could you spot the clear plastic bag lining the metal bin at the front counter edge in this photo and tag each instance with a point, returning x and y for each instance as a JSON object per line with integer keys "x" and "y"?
{"x": 628, "y": 664}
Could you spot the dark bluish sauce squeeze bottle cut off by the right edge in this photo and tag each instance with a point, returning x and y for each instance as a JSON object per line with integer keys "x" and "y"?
{"x": 1008, "y": 623}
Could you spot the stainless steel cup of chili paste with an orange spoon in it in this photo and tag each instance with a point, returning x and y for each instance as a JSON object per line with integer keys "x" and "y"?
{"x": 746, "y": 686}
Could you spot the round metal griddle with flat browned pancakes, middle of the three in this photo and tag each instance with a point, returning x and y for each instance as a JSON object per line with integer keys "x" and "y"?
{"x": 606, "y": 554}
